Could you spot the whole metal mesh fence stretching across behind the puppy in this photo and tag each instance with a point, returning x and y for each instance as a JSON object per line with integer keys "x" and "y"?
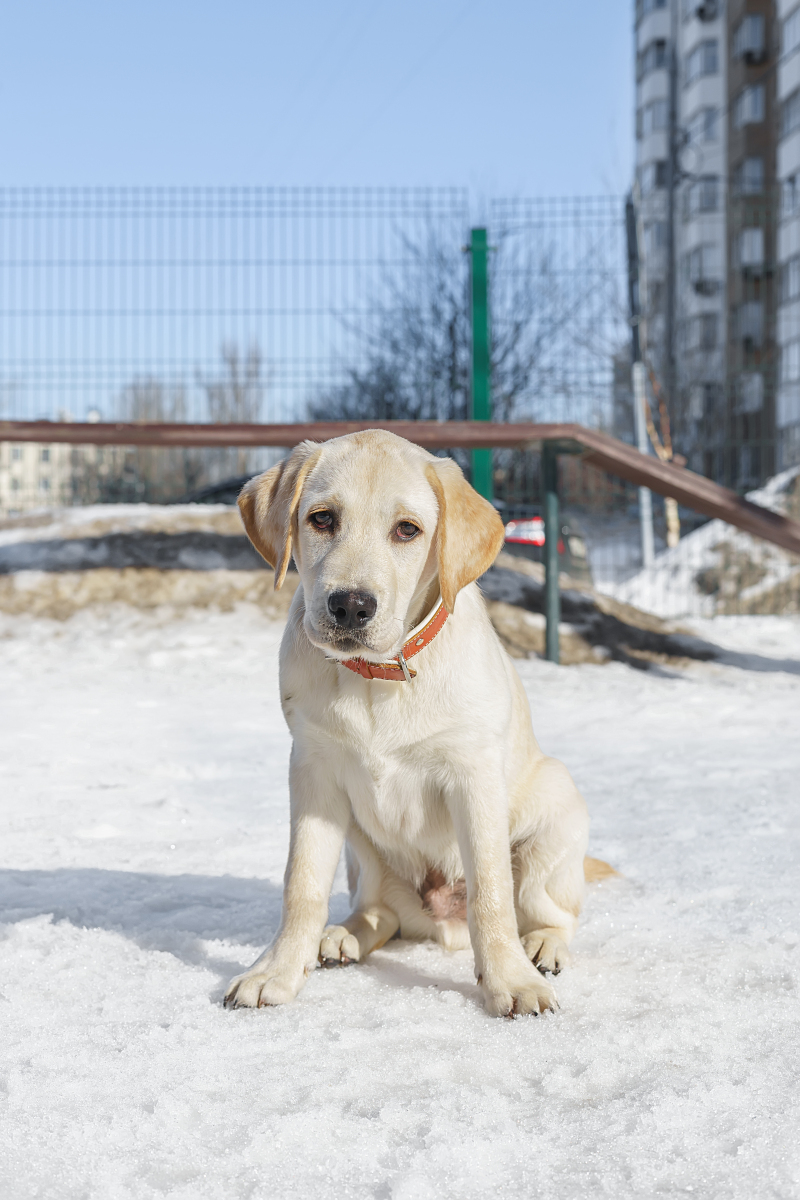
{"x": 286, "y": 304}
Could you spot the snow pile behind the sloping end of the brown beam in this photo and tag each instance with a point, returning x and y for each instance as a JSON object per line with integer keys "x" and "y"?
{"x": 718, "y": 569}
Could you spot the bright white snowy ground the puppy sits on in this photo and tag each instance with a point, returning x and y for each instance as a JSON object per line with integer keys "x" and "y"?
{"x": 145, "y": 817}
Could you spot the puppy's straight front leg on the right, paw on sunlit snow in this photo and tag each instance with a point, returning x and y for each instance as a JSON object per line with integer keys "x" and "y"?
{"x": 512, "y": 985}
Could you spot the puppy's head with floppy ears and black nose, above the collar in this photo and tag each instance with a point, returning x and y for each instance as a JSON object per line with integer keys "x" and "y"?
{"x": 376, "y": 525}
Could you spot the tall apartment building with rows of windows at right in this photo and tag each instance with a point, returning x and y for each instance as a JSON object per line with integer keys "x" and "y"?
{"x": 711, "y": 149}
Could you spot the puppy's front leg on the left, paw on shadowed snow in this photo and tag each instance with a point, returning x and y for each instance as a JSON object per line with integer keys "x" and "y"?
{"x": 320, "y": 820}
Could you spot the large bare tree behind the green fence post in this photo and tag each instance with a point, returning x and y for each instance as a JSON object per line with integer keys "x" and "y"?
{"x": 417, "y": 357}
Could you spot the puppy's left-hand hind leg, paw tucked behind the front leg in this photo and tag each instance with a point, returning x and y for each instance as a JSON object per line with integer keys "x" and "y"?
{"x": 371, "y": 923}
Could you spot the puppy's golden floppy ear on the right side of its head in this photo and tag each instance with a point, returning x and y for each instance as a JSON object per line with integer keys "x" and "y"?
{"x": 470, "y": 533}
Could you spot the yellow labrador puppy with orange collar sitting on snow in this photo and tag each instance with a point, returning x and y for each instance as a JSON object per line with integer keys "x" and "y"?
{"x": 412, "y": 731}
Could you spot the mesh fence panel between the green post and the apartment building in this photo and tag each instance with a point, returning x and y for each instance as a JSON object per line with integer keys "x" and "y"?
{"x": 561, "y": 299}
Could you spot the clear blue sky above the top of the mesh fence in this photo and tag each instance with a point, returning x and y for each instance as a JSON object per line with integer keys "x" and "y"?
{"x": 515, "y": 98}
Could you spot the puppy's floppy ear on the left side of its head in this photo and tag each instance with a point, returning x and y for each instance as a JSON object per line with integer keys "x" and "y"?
{"x": 269, "y": 502}
